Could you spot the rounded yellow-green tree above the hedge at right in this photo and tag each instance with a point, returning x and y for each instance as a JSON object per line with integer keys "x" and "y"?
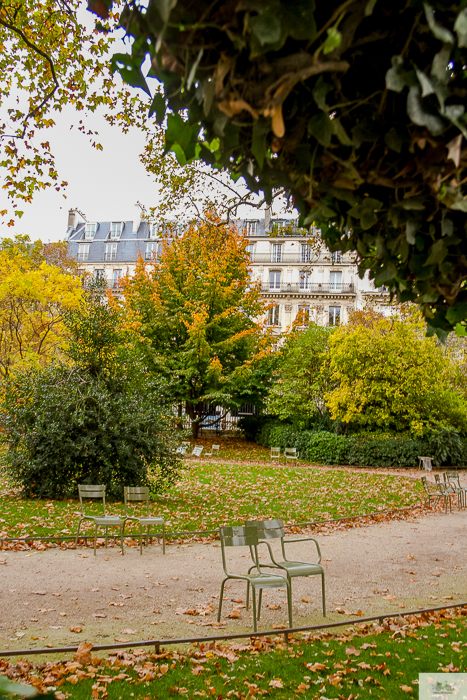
{"x": 389, "y": 376}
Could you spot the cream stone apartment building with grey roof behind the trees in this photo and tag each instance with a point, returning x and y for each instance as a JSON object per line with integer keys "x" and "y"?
{"x": 298, "y": 275}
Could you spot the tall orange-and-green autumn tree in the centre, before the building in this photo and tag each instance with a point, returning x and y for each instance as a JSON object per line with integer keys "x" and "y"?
{"x": 196, "y": 311}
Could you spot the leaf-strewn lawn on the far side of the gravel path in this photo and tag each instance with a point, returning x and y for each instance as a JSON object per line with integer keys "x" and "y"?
{"x": 210, "y": 494}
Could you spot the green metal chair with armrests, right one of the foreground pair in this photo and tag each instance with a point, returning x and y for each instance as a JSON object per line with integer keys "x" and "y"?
{"x": 274, "y": 529}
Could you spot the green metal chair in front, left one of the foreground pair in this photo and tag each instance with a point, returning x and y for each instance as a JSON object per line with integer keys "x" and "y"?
{"x": 248, "y": 537}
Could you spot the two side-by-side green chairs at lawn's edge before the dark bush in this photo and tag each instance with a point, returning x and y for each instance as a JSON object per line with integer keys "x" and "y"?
{"x": 130, "y": 494}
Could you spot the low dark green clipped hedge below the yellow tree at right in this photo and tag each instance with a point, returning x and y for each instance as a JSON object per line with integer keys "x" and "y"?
{"x": 320, "y": 447}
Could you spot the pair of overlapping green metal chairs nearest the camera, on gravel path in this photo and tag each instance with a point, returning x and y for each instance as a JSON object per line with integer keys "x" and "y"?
{"x": 254, "y": 534}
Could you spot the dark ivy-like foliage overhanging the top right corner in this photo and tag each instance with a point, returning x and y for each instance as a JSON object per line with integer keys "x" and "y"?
{"x": 289, "y": 95}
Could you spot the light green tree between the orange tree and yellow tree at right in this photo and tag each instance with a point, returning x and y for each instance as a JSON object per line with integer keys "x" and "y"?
{"x": 302, "y": 377}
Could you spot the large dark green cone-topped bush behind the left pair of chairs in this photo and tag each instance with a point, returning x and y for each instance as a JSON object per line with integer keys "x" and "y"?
{"x": 98, "y": 417}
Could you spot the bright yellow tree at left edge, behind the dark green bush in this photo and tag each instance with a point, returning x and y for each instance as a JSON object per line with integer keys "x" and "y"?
{"x": 33, "y": 296}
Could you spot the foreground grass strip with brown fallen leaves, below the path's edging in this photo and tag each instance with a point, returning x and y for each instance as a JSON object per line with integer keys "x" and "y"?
{"x": 356, "y": 663}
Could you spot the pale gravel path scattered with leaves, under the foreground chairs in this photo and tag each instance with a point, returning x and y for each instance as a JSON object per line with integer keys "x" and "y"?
{"x": 379, "y": 568}
